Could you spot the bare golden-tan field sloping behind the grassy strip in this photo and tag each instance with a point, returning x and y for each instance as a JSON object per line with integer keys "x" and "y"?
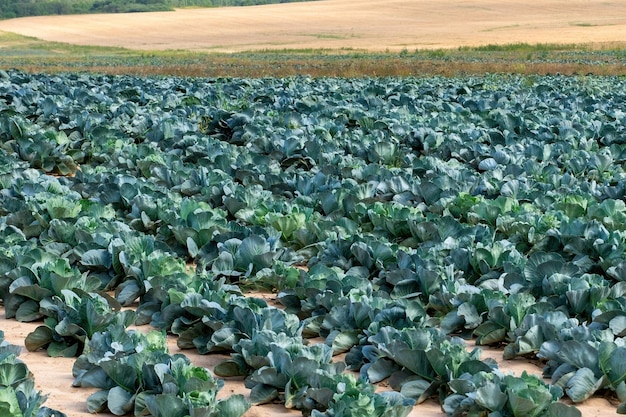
{"x": 373, "y": 25}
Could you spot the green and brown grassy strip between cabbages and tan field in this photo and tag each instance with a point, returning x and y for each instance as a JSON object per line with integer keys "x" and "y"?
{"x": 33, "y": 55}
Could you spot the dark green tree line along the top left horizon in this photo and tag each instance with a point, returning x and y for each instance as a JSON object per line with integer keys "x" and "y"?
{"x": 11, "y": 8}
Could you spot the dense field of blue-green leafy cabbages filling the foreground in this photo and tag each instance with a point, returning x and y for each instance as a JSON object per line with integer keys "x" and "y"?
{"x": 394, "y": 218}
